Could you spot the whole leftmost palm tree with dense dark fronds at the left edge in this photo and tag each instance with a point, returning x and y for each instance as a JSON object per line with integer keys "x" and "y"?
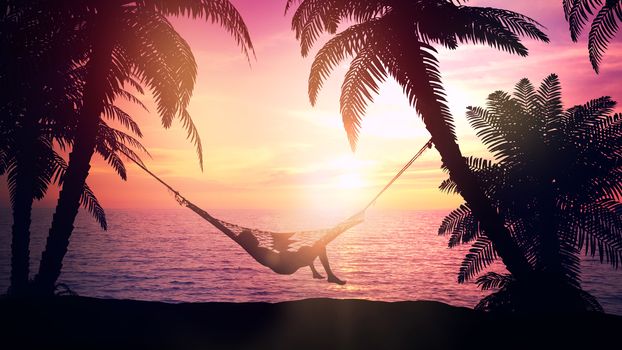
{"x": 36, "y": 113}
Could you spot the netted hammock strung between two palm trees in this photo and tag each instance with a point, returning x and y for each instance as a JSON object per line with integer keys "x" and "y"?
{"x": 279, "y": 242}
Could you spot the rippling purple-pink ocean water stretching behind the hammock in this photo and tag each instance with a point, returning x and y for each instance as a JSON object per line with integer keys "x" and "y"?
{"x": 175, "y": 256}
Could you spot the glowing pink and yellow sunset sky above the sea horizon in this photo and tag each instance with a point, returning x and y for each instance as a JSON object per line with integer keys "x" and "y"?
{"x": 266, "y": 147}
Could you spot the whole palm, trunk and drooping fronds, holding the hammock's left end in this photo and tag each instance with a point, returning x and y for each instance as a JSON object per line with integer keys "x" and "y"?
{"x": 129, "y": 43}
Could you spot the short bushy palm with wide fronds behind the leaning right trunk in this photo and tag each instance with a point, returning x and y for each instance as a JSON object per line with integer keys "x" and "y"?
{"x": 556, "y": 179}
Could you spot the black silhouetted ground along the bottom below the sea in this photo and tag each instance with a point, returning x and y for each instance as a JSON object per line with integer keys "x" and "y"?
{"x": 86, "y": 323}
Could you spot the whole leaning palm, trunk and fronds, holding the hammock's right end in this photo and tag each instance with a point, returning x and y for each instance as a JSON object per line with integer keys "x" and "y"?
{"x": 394, "y": 38}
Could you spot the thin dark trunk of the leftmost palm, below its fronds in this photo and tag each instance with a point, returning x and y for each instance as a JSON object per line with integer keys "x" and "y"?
{"x": 20, "y": 243}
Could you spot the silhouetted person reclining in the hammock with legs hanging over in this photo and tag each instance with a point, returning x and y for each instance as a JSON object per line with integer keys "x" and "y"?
{"x": 286, "y": 262}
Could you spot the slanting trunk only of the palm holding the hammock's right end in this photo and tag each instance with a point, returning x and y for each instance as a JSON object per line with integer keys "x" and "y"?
{"x": 429, "y": 102}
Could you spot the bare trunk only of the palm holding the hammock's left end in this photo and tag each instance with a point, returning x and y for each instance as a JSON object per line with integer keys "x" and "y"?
{"x": 98, "y": 70}
